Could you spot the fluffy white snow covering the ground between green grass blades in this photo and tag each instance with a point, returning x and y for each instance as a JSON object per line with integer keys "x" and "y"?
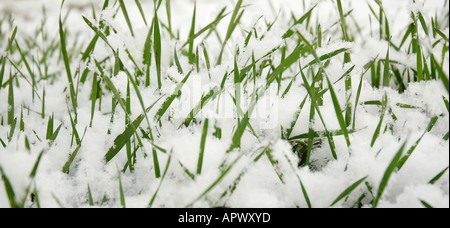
{"x": 258, "y": 183}
